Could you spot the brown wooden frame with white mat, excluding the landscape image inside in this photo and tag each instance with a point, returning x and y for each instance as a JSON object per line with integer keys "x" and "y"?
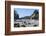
{"x": 10, "y": 5}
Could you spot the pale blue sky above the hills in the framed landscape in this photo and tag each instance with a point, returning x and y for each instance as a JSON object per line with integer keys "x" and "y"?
{"x": 24, "y": 12}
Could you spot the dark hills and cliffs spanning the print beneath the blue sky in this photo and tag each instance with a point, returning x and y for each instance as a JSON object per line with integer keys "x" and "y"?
{"x": 35, "y": 15}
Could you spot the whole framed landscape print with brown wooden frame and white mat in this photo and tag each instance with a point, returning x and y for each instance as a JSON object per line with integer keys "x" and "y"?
{"x": 24, "y": 17}
